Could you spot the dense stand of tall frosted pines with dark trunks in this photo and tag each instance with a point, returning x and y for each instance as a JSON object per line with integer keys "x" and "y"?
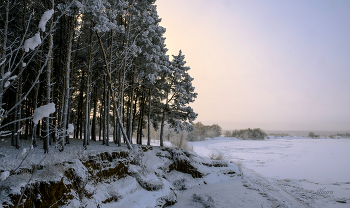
{"x": 99, "y": 66}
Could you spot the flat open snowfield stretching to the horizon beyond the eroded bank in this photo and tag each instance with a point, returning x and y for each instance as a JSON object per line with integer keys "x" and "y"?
{"x": 312, "y": 172}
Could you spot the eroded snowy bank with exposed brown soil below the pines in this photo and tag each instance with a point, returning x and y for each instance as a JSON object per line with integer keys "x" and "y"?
{"x": 104, "y": 176}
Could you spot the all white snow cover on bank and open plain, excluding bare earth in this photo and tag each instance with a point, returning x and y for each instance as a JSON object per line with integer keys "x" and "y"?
{"x": 284, "y": 172}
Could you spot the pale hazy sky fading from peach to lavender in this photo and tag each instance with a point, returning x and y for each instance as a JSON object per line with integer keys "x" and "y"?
{"x": 271, "y": 64}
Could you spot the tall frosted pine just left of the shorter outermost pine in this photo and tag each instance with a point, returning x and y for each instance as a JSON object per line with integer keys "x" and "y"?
{"x": 150, "y": 61}
